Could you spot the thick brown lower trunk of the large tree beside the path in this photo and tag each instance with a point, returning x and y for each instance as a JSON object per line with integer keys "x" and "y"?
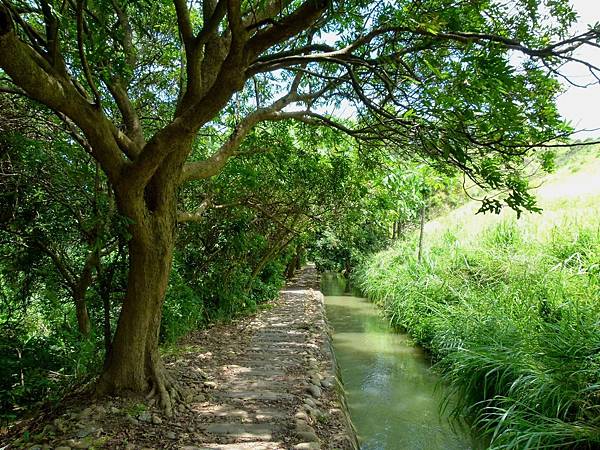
{"x": 133, "y": 364}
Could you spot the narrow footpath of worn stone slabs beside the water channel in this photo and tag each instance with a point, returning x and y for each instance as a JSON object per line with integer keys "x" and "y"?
{"x": 263, "y": 400}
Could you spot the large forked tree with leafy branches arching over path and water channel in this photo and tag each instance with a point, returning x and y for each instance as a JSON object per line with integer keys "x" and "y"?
{"x": 140, "y": 82}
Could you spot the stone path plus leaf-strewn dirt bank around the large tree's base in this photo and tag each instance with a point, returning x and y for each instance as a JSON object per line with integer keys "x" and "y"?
{"x": 263, "y": 382}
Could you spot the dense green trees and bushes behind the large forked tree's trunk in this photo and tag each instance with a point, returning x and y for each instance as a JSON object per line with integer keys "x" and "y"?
{"x": 59, "y": 244}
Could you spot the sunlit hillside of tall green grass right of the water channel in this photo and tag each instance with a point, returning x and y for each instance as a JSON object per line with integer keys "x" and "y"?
{"x": 510, "y": 310}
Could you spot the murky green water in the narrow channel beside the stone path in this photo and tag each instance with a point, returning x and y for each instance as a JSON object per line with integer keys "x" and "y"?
{"x": 391, "y": 391}
